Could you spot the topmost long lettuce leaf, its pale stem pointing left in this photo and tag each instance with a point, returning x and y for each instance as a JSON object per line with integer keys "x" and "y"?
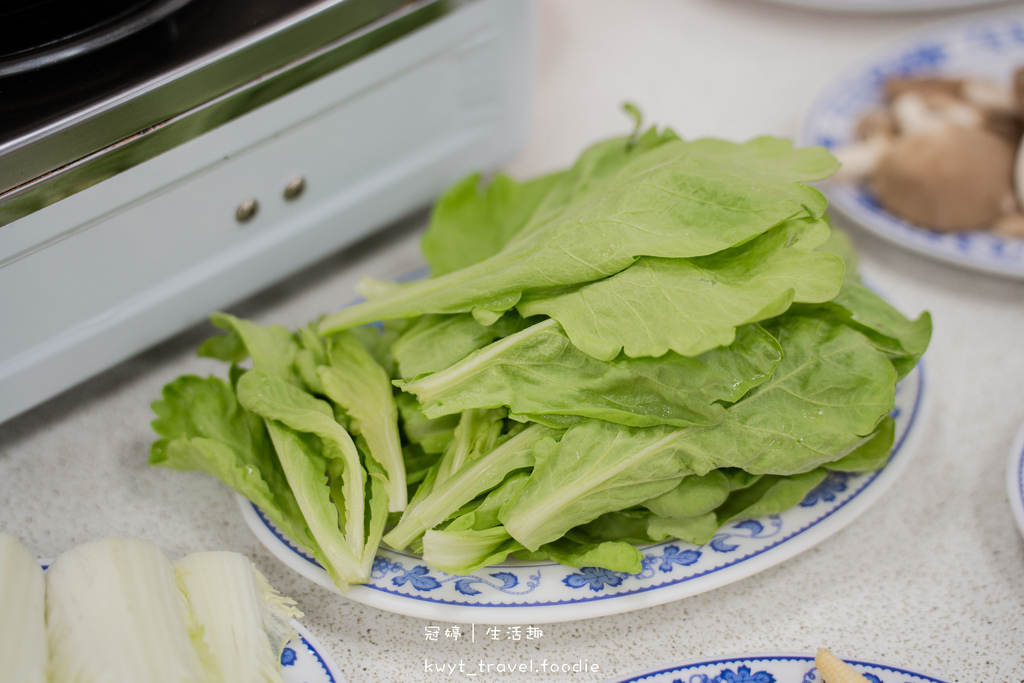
{"x": 678, "y": 200}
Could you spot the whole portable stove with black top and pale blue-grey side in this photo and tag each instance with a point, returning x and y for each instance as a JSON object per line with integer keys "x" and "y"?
{"x": 164, "y": 158}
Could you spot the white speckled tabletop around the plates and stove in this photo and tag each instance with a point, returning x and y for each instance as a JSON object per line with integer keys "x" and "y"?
{"x": 931, "y": 578}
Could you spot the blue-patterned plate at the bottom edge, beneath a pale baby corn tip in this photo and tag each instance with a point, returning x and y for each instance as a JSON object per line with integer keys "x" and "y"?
{"x": 767, "y": 669}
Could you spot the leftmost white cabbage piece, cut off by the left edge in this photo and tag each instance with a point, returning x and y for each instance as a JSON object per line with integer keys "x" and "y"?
{"x": 23, "y": 626}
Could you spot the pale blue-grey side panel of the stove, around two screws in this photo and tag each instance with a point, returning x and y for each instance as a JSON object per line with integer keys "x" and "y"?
{"x": 105, "y": 274}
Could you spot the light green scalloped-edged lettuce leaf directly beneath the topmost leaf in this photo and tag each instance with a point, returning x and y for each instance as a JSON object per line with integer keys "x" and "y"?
{"x": 693, "y": 306}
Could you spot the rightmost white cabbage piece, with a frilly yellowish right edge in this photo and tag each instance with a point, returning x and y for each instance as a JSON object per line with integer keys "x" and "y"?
{"x": 245, "y": 622}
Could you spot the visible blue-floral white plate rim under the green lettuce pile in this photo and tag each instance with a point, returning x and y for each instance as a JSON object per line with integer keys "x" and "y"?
{"x": 546, "y": 592}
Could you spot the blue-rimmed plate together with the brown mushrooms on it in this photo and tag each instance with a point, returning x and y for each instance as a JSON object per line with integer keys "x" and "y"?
{"x": 929, "y": 133}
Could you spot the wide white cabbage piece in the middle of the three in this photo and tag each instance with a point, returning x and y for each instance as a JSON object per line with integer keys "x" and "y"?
{"x": 115, "y": 615}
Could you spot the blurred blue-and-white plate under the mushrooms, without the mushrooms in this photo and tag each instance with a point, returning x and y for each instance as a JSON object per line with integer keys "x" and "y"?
{"x": 990, "y": 46}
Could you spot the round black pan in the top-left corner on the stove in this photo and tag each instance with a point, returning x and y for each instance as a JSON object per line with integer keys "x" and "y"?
{"x": 35, "y": 34}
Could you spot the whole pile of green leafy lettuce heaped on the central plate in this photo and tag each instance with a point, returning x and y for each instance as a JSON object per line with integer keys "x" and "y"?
{"x": 662, "y": 339}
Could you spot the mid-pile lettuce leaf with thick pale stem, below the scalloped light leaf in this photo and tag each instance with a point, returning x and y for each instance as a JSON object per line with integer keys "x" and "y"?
{"x": 539, "y": 372}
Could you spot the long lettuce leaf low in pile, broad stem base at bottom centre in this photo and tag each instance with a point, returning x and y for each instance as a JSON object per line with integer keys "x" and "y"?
{"x": 826, "y": 399}
